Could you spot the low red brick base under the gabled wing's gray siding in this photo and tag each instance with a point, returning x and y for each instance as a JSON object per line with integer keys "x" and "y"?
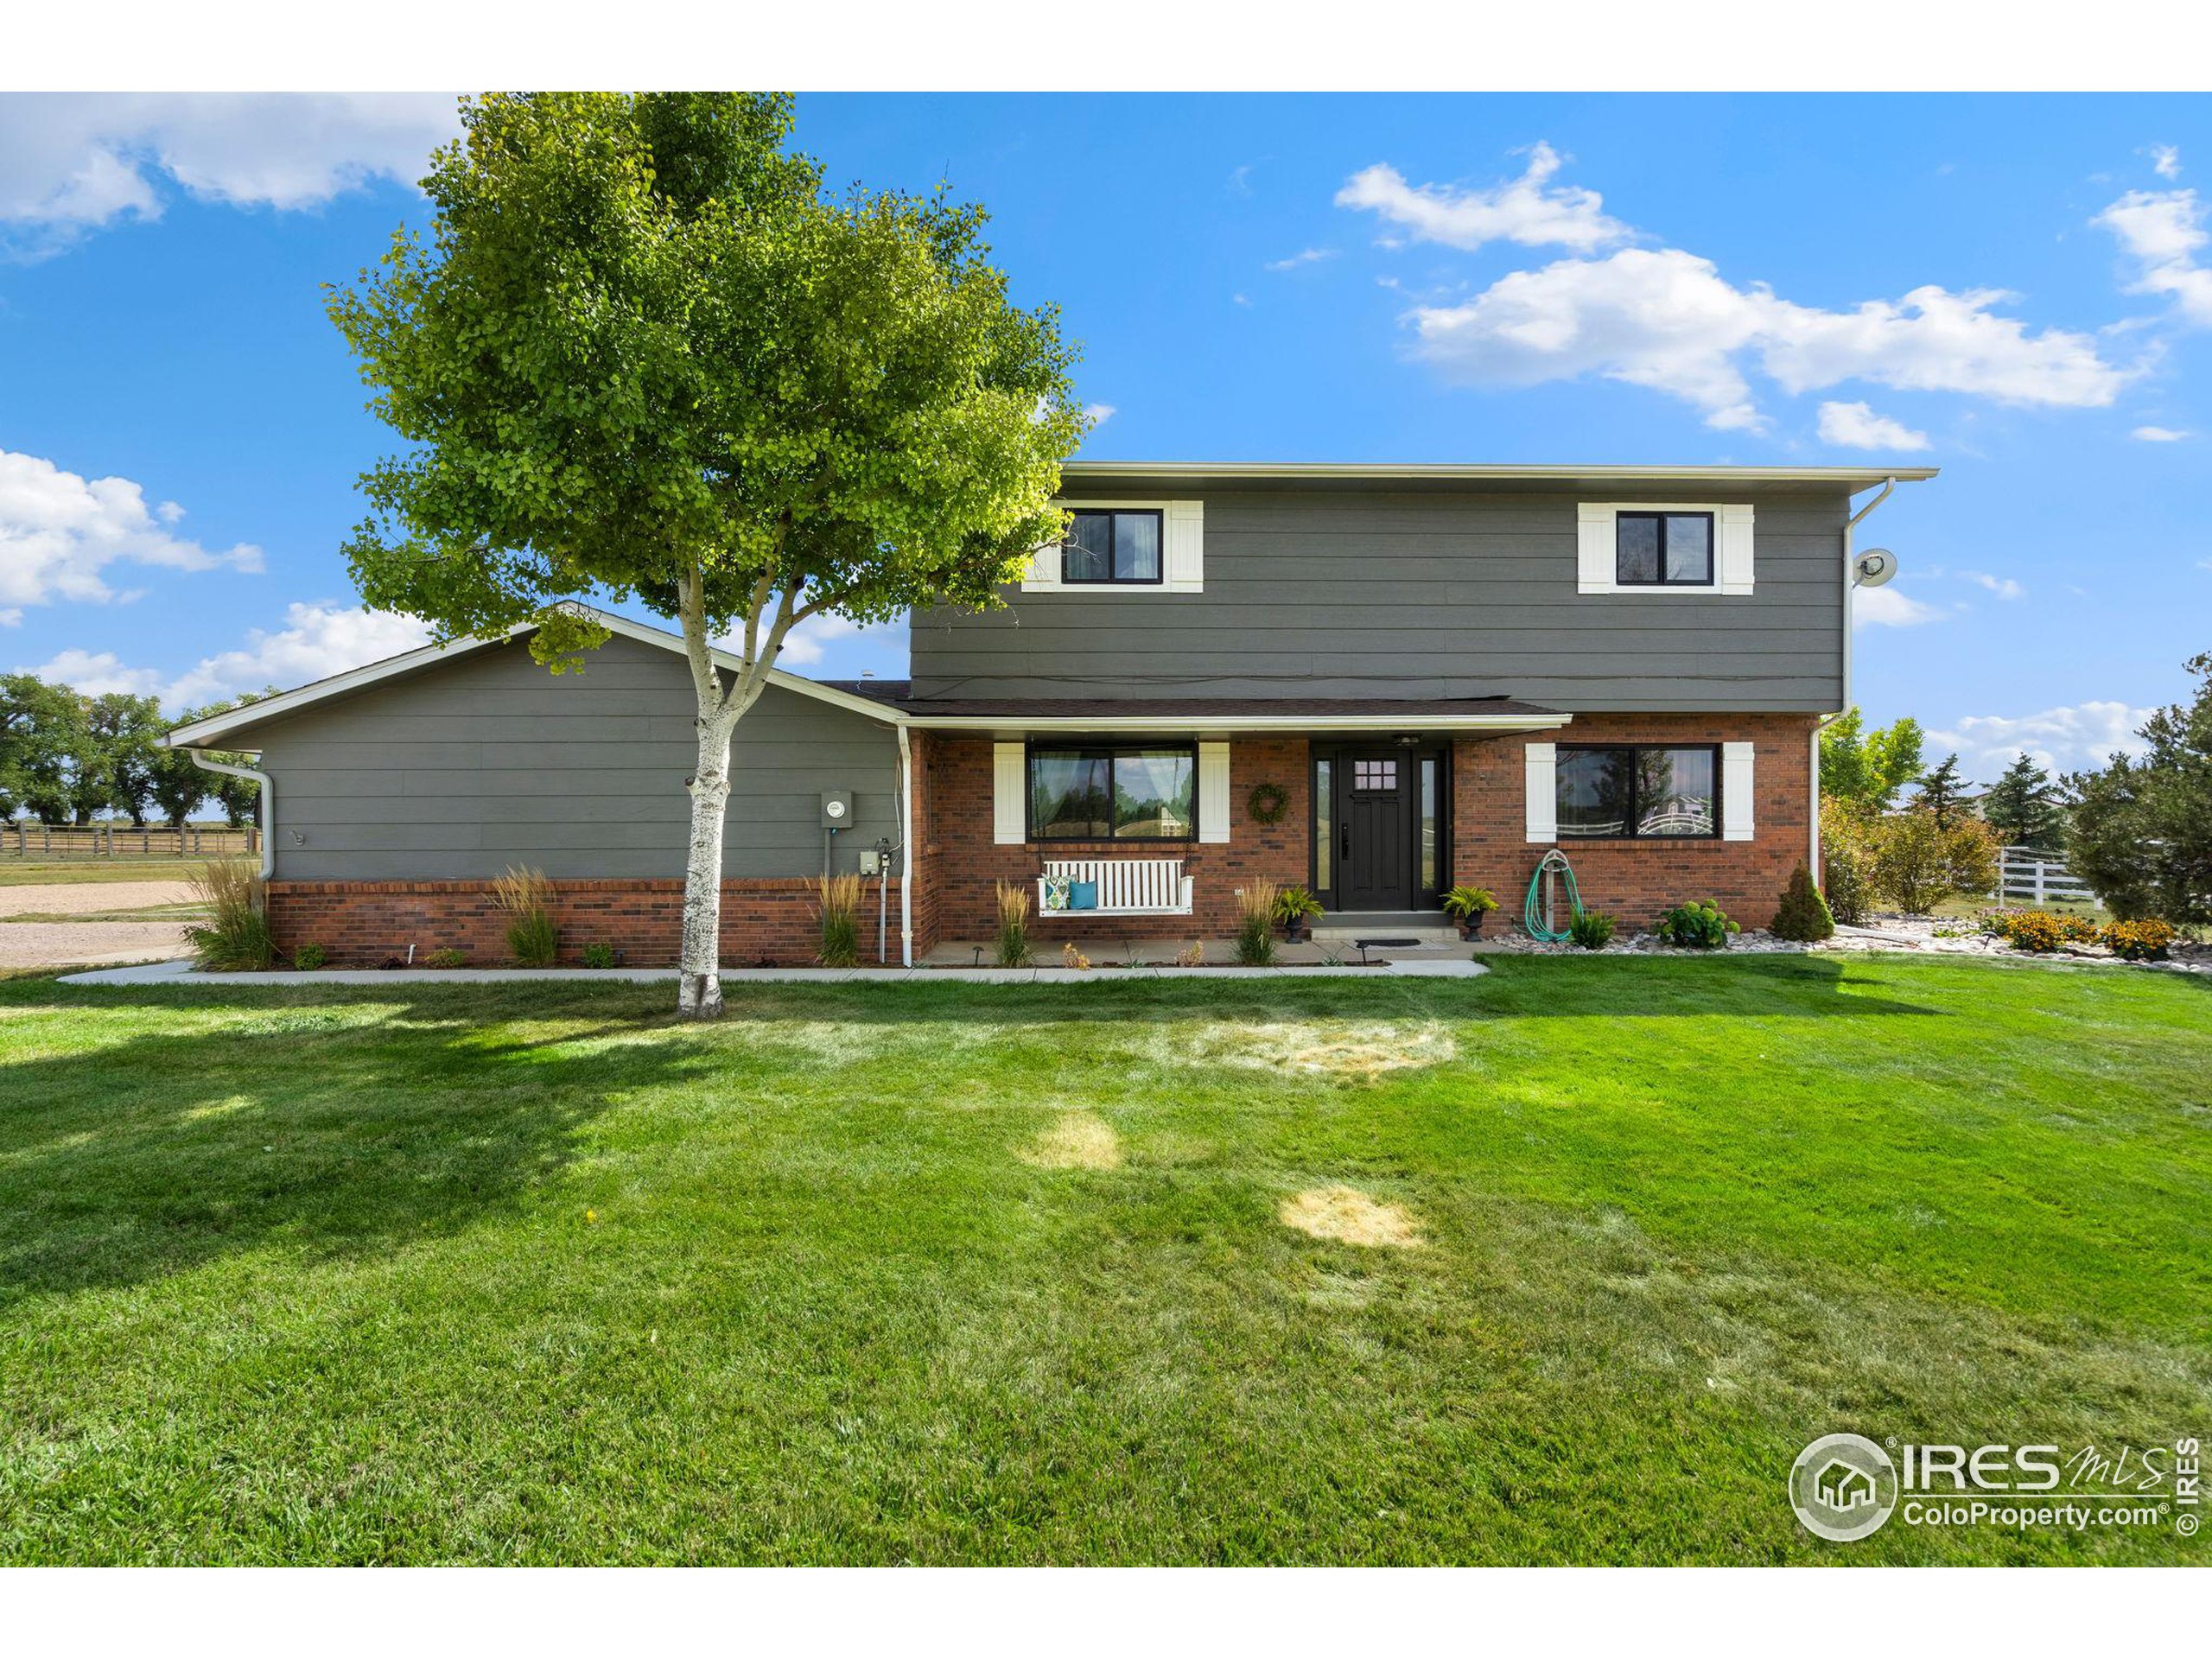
{"x": 366, "y": 924}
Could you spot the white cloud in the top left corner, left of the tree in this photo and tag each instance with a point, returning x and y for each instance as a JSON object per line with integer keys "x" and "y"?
{"x": 76, "y": 163}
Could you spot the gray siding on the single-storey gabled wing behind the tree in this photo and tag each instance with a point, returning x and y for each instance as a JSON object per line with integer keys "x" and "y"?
{"x": 490, "y": 762}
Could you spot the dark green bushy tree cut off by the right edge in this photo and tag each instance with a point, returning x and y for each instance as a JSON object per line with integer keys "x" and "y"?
{"x": 2140, "y": 831}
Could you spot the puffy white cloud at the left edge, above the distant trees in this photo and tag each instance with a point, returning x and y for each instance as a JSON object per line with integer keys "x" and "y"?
{"x": 59, "y": 534}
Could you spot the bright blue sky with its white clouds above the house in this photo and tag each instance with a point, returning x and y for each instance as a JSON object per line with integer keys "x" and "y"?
{"x": 2012, "y": 289}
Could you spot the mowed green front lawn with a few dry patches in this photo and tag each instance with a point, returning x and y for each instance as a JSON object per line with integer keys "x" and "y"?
{"x": 444, "y": 1273}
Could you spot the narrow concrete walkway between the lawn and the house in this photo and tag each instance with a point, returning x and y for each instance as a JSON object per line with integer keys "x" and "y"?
{"x": 187, "y": 974}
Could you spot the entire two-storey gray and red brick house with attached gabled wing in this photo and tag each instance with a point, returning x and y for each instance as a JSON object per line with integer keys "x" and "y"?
{"x": 1439, "y": 674}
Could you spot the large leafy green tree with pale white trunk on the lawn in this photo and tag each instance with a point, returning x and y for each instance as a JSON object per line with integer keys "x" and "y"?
{"x": 643, "y": 357}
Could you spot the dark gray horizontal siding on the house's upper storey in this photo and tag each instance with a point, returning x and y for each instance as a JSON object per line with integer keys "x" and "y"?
{"x": 1331, "y": 592}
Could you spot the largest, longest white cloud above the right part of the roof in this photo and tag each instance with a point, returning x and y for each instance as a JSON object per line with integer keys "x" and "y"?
{"x": 1669, "y": 322}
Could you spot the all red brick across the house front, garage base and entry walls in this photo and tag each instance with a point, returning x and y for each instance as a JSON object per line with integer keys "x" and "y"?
{"x": 957, "y": 862}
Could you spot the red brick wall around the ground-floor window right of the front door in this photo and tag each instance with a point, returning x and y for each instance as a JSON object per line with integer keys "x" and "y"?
{"x": 1640, "y": 879}
